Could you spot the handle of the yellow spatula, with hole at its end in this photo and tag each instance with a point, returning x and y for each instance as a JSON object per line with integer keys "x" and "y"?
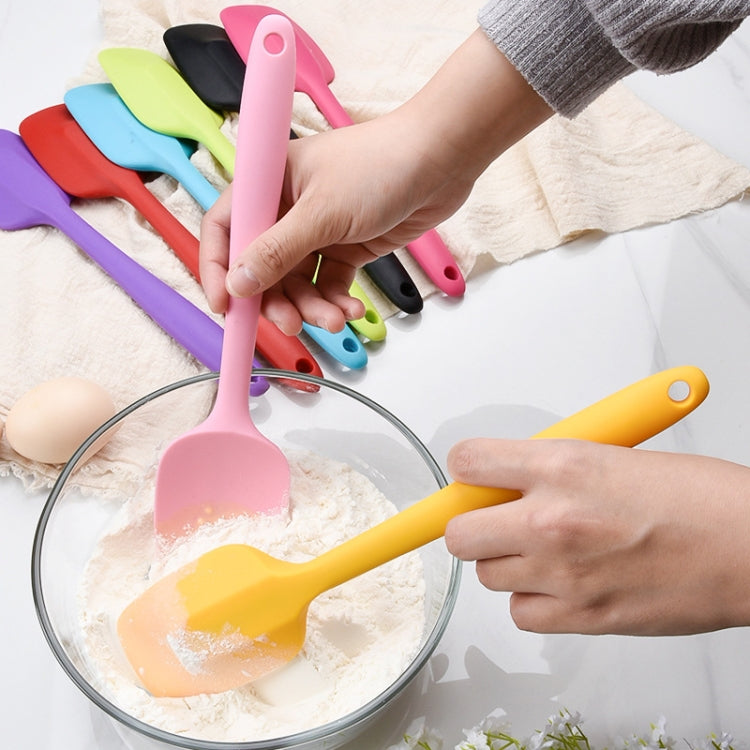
{"x": 627, "y": 417}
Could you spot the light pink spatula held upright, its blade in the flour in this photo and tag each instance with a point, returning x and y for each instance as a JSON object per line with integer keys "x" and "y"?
{"x": 225, "y": 467}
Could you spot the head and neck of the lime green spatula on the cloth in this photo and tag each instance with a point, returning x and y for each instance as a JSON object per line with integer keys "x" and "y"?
{"x": 162, "y": 100}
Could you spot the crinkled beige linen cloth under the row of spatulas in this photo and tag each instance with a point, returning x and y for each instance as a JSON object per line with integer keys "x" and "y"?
{"x": 617, "y": 166}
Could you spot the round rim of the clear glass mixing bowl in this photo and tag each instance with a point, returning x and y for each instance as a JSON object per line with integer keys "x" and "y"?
{"x": 348, "y": 721}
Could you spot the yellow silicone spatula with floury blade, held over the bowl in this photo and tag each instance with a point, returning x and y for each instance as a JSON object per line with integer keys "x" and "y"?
{"x": 236, "y": 613}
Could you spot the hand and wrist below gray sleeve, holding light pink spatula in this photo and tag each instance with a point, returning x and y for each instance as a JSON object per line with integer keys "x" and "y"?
{"x": 356, "y": 193}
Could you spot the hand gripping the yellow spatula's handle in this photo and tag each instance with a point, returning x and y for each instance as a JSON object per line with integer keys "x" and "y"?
{"x": 608, "y": 539}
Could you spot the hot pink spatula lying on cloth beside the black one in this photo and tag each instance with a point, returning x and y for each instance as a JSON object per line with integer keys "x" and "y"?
{"x": 314, "y": 73}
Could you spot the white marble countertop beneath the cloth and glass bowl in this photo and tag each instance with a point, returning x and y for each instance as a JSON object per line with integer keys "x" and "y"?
{"x": 529, "y": 343}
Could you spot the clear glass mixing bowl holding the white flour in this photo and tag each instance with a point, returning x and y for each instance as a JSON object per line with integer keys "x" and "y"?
{"x": 335, "y": 422}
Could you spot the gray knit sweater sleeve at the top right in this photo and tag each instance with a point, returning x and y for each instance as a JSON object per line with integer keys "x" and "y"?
{"x": 570, "y": 51}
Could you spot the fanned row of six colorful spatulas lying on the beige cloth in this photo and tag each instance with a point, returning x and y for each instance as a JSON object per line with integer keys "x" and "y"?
{"x": 106, "y": 138}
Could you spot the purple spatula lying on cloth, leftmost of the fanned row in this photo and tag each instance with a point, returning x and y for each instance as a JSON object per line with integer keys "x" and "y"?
{"x": 29, "y": 198}
